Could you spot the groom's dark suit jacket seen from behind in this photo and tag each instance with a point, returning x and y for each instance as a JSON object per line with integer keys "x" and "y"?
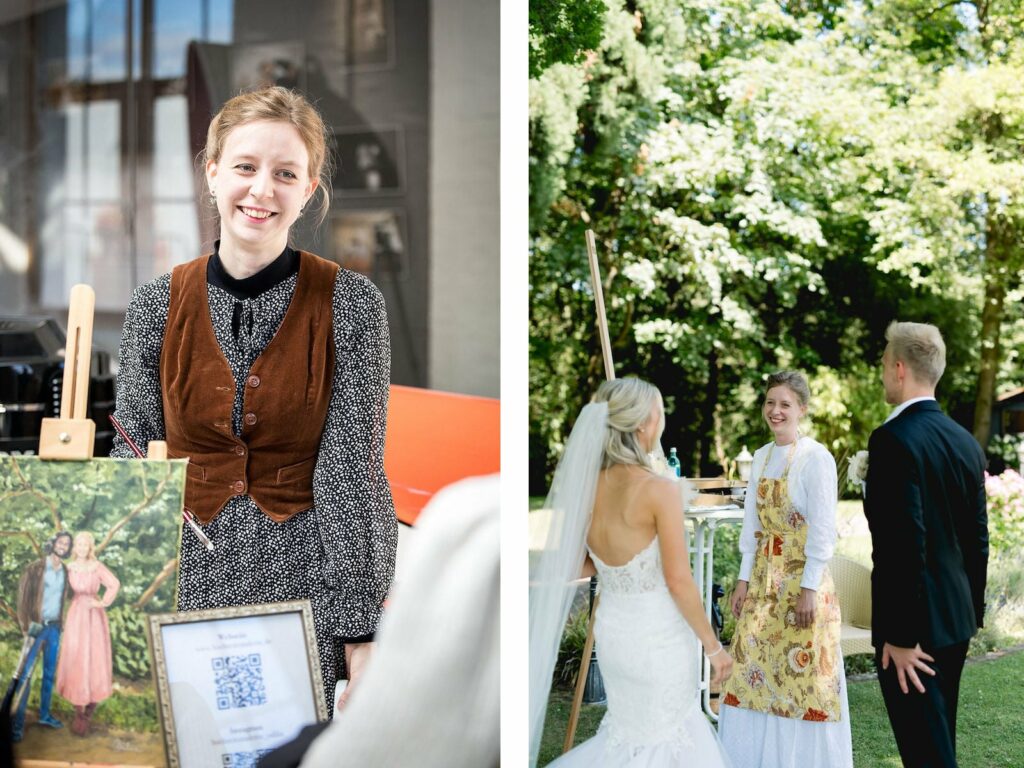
{"x": 926, "y": 508}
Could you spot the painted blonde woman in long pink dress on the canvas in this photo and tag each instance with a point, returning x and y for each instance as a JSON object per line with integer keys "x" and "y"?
{"x": 86, "y": 672}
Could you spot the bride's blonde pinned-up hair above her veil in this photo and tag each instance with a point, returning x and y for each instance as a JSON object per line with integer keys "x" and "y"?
{"x": 630, "y": 402}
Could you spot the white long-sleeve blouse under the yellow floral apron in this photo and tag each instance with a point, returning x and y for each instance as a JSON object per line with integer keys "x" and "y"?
{"x": 814, "y": 491}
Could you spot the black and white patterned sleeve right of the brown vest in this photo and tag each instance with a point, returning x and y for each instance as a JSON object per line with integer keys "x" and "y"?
{"x": 354, "y": 506}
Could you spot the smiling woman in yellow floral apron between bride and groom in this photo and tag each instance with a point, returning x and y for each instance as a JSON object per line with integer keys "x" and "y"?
{"x": 785, "y": 704}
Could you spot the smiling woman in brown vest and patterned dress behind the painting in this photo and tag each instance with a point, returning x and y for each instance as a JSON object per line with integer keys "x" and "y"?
{"x": 212, "y": 359}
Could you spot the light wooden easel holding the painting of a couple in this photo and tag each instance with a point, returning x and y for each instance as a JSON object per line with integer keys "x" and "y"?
{"x": 73, "y": 437}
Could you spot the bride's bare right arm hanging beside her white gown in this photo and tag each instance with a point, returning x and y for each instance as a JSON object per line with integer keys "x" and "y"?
{"x": 668, "y": 507}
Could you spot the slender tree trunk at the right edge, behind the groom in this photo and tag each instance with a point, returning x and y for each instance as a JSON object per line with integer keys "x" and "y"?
{"x": 999, "y": 241}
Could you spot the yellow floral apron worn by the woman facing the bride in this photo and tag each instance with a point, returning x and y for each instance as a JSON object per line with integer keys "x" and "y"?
{"x": 781, "y": 669}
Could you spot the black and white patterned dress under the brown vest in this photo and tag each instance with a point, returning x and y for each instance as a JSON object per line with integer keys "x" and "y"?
{"x": 340, "y": 554}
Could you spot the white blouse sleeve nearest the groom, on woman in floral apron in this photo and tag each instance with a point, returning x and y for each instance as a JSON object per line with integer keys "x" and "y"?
{"x": 819, "y": 484}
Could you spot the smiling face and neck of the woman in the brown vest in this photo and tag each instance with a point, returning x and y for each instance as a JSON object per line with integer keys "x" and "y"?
{"x": 262, "y": 183}
